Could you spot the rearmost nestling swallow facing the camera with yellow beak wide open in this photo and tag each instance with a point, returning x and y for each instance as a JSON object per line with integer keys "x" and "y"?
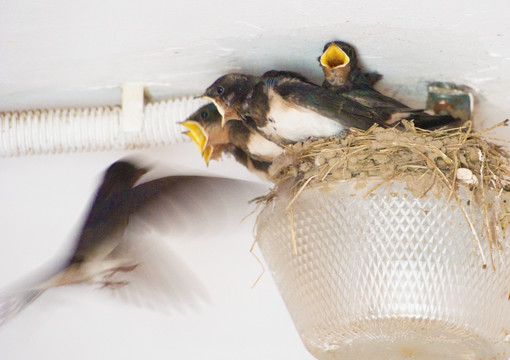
{"x": 343, "y": 75}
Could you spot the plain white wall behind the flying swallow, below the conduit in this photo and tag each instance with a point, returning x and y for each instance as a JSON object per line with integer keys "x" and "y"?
{"x": 42, "y": 202}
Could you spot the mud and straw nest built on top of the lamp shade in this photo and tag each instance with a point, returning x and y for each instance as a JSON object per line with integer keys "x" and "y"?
{"x": 429, "y": 163}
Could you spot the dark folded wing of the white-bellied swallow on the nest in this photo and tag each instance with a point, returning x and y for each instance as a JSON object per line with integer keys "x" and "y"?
{"x": 313, "y": 97}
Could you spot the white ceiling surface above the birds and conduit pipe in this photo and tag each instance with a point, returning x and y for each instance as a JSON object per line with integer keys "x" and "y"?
{"x": 59, "y": 53}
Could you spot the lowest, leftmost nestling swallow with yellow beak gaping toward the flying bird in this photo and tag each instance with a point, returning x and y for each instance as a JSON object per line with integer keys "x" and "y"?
{"x": 206, "y": 130}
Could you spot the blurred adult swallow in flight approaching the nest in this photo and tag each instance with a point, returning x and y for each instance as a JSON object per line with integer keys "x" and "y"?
{"x": 112, "y": 249}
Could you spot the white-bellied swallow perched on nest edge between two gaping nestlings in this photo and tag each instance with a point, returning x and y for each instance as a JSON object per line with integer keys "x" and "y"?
{"x": 285, "y": 107}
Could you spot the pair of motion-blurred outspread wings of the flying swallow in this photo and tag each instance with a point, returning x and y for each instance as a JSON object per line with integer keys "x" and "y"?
{"x": 180, "y": 208}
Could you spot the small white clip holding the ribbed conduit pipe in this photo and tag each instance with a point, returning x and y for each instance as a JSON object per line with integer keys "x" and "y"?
{"x": 133, "y": 100}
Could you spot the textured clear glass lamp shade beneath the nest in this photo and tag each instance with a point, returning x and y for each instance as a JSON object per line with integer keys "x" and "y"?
{"x": 387, "y": 276}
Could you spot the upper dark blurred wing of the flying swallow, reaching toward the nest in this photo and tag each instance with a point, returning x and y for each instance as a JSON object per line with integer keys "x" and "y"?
{"x": 193, "y": 206}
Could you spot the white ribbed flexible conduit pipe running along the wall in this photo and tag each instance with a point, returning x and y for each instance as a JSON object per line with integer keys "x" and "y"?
{"x": 91, "y": 129}
